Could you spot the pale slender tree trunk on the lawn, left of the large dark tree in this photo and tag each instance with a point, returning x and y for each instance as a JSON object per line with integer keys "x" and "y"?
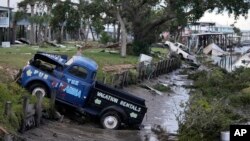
{"x": 124, "y": 35}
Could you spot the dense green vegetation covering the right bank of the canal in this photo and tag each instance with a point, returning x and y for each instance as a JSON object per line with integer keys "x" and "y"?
{"x": 221, "y": 99}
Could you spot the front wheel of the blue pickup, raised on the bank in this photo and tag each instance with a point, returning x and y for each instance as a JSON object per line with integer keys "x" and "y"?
{"x": 38, "y": 87}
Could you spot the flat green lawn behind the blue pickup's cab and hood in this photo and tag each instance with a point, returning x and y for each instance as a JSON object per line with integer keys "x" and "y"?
{"x": 17, "y": 57}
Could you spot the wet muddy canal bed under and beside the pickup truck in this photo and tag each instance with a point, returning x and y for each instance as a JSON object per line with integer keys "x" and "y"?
{"x": 162, "y": 110}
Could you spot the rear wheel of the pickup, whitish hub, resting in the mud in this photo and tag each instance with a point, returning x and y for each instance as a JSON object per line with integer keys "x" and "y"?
{"x": 110, "y": 120}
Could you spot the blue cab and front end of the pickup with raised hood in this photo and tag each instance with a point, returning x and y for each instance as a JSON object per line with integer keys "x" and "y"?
{"x": 72, "y": 79}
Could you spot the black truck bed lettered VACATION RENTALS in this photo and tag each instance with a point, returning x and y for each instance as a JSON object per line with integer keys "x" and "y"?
{"x": 103, "y": 96}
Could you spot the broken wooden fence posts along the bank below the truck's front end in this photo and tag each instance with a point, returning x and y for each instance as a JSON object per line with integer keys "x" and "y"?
{"x": 31, "y": 113}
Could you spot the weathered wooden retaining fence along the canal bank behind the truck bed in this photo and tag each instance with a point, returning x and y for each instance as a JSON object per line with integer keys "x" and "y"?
{"x": 143, "y": 71}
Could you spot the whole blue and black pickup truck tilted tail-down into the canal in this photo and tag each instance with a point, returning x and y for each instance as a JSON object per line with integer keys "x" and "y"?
{"x": 75, "y": 85}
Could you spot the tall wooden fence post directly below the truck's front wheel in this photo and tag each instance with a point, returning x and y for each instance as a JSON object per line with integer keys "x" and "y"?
{"x": 39, "y": 108}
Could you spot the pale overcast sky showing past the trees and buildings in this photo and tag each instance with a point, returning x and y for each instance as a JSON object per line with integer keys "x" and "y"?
{"x": 221, "y": 19}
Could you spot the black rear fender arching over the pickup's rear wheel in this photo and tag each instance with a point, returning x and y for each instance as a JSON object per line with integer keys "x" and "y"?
{"x": 116, "y": 109}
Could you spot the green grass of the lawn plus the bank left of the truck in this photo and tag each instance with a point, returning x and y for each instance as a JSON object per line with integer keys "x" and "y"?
{"x": 16, "y": 57}
